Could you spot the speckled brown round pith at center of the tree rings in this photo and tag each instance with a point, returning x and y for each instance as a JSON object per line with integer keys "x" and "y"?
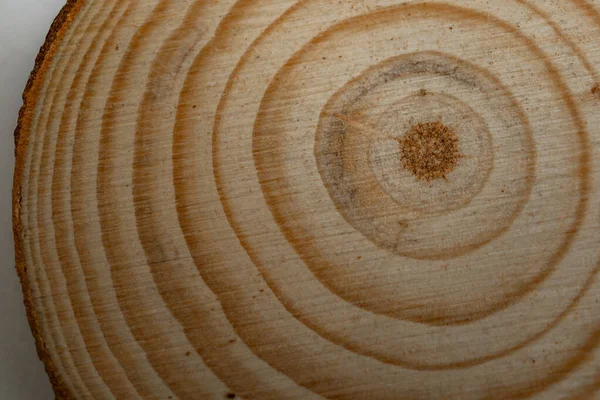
{"x": 430, "y": 150}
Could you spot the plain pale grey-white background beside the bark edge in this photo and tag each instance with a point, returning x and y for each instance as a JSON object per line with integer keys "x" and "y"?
{"x": 23, "y": 27}
